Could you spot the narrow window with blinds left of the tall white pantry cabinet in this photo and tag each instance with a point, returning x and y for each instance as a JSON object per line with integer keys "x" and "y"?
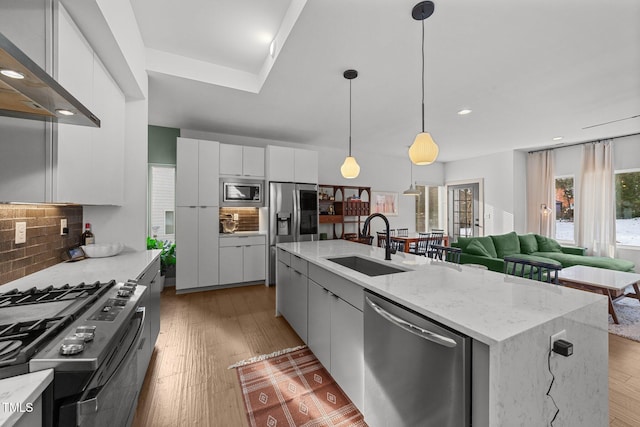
{"x": 162, "y": 188}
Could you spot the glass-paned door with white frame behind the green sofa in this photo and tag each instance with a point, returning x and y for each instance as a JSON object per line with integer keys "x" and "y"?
{"x": 464, "y": 210}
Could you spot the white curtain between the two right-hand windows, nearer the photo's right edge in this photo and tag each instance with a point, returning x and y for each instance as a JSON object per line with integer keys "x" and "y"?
{"x": 595, "y": 206}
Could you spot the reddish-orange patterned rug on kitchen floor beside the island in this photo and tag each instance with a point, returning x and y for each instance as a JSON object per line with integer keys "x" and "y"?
{"x": 291, "y": 388}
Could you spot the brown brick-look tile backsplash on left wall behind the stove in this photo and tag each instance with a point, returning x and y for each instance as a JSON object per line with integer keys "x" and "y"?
{"x": 44, "y": 245}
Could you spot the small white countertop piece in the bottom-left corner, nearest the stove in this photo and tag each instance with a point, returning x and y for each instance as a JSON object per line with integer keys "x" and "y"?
{"x": 23, "y": 391}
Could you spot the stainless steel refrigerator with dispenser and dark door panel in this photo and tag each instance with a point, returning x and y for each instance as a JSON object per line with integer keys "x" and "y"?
{"x": 293, "y": 217}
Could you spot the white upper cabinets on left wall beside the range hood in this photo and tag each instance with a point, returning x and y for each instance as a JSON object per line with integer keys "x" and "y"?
{"x": 90, "y": 161}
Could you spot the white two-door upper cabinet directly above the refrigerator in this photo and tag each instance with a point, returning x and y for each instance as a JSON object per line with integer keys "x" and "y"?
{"x": 292, "y": 164}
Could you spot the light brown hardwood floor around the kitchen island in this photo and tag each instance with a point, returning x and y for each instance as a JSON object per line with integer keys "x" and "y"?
{"x": 202, "y": 333}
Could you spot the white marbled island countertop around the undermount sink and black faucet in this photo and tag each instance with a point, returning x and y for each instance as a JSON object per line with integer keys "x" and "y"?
{"x": 488, "y": 306}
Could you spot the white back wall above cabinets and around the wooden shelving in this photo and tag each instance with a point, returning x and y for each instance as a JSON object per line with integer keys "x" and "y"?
{"x": 381, "y": 173}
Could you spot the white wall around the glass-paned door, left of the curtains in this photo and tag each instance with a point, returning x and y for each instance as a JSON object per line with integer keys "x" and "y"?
{"x": 503, "y": 177}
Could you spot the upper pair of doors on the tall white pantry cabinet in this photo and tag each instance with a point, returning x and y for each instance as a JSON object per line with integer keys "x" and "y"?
{"x": 197, "y": 173}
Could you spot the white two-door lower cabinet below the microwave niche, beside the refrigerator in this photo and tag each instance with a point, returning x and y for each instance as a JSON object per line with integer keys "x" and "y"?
{"x": 242, "y": 259}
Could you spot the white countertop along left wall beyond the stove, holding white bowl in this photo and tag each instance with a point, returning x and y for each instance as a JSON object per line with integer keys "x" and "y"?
{"x": 127, "y": 265}
